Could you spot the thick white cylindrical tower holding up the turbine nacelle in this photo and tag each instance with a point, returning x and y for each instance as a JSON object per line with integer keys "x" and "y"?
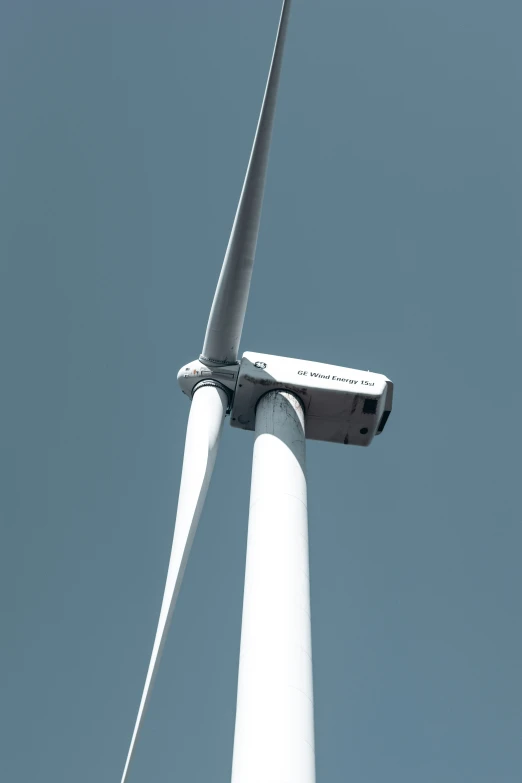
{"x": 274, "y": 734}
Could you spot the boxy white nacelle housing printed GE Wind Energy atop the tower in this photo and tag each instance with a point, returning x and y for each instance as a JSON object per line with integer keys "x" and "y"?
{"x": 342, "y": 405}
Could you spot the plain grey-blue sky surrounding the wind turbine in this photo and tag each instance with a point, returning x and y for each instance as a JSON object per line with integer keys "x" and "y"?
{"x": 390, "y": 241}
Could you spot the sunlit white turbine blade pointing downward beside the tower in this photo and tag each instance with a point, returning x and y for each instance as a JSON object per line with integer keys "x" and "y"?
{"x": 204, "y": 428}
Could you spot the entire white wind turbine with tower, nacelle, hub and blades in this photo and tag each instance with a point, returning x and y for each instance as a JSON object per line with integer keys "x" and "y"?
{"x": 285, "y": 401}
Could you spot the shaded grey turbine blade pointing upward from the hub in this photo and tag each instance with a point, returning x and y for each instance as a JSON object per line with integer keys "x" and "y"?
{"x": 227, "y": 314}
